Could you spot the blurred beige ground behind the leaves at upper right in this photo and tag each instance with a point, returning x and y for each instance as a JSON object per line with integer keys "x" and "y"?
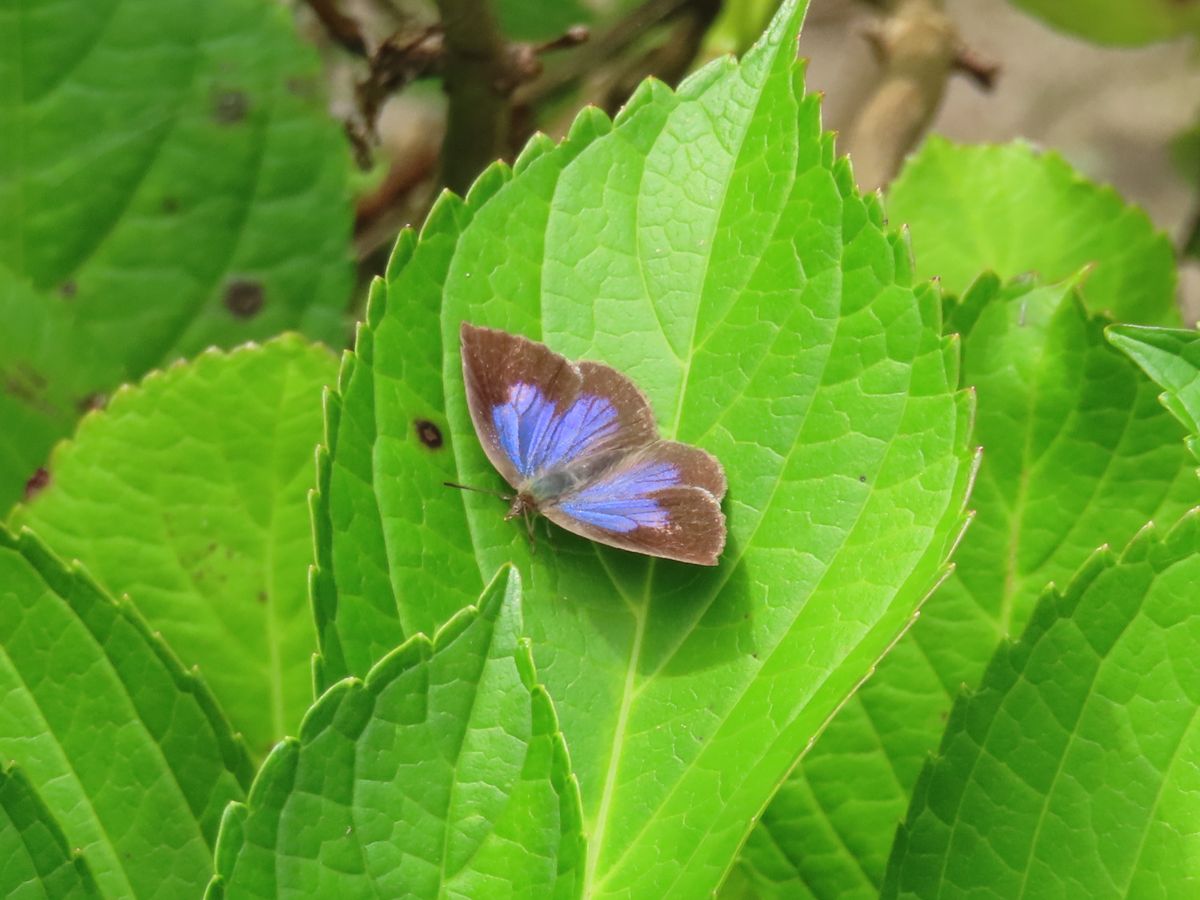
{"x": 1113, "y": 112}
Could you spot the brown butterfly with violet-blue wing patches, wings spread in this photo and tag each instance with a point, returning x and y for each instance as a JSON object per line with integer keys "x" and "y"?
{"x": 580, "y": 446}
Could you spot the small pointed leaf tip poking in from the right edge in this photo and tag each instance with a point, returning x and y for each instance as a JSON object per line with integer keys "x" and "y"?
{"x": 1172, "y": 357}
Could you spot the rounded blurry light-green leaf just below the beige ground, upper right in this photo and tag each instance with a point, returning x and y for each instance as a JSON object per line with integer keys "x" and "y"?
{"x": 1013, "y": 211}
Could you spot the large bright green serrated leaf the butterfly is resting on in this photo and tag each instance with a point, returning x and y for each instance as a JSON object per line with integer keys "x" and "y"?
{"x": 710, "y": 245}
